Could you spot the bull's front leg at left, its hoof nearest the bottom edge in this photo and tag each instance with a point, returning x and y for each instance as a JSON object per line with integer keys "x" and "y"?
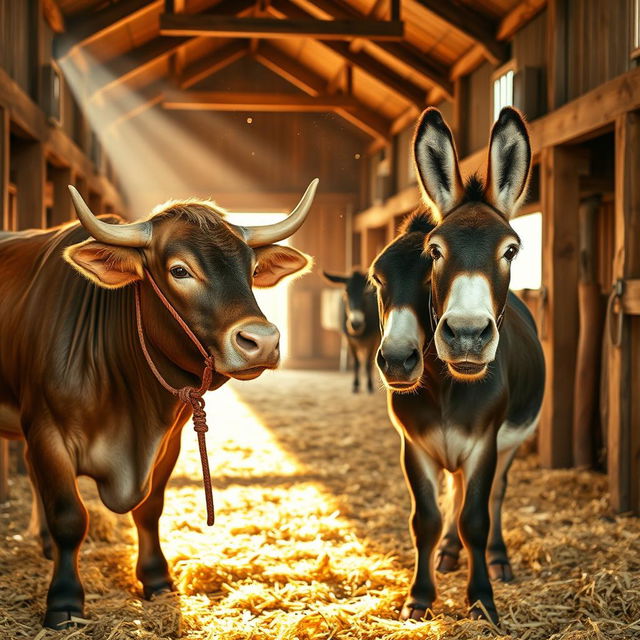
{"x": 67, "y": 520}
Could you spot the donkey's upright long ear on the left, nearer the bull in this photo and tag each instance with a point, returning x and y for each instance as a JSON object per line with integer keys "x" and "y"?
{"x": 437, "y": 164}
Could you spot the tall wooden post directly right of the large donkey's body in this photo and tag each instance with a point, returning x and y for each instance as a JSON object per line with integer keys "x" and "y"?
{"x": 559, "y": 169}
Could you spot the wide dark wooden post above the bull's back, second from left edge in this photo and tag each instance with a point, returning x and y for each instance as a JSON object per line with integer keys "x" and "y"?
{"x": 30, "y": 176}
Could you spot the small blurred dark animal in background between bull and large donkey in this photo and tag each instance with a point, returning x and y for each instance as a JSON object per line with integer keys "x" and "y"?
{"x": 360, "y": 322}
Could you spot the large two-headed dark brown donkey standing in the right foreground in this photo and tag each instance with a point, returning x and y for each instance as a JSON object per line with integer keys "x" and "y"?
{"x": 459, "y": 355}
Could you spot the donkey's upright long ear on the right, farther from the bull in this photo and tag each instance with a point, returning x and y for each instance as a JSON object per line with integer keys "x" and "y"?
{"x": 509, "y": 162}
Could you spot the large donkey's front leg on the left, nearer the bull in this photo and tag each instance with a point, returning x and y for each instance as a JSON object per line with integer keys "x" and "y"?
{"x": 426, "y": 525}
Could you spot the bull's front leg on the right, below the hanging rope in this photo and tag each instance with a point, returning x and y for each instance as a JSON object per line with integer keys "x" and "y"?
{"x": 151, "y": 568}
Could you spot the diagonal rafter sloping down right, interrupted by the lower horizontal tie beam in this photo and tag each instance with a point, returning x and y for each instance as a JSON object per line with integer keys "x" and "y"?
{"x": 309, "y": 82}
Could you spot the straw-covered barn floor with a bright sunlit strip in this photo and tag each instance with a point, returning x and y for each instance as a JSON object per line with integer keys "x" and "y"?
{"x": 311, "y": 539}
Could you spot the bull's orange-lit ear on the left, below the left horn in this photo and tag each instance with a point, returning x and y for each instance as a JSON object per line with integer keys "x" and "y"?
{"x": 104, "y": 264}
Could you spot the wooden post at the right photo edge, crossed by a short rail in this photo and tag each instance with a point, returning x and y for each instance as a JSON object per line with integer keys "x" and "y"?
{"x": 623, "y": 369}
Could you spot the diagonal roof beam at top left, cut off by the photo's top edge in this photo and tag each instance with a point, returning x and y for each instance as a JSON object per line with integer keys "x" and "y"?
{"x": 87, "y": 27}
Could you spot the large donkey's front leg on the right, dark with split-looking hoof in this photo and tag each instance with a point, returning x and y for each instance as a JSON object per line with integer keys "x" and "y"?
{"x": 474, "y": 525}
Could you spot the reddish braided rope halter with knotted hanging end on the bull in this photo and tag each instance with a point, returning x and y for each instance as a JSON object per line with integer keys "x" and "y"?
{"x": 188, "y": 395}
